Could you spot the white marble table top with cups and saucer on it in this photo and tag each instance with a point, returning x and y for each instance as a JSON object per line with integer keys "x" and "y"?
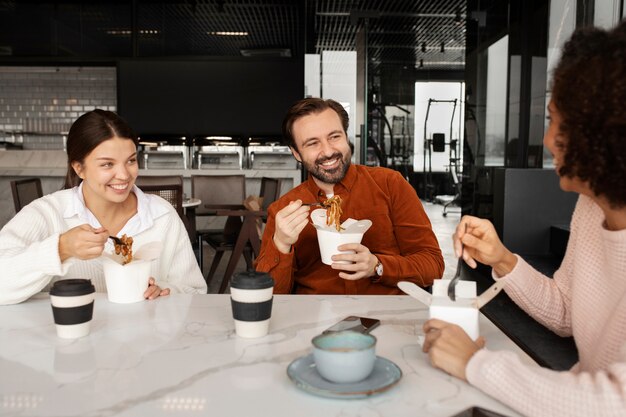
{"x": 178, "y": 355}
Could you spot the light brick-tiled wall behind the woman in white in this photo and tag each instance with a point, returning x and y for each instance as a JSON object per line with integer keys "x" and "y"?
{"x": 38, "y": 104}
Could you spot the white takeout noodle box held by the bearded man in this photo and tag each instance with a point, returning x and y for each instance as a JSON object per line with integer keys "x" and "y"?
{"x": 329, "y": 239}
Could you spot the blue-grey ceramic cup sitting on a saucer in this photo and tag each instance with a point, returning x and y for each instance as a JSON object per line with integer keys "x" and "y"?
{"x": 344, "y": 357}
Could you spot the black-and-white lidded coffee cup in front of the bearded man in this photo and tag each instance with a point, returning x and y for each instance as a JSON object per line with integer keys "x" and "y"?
{"x": 251, "y": 295}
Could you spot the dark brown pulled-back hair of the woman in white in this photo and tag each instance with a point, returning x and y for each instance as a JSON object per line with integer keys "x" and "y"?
{"x": 89, "y": 131}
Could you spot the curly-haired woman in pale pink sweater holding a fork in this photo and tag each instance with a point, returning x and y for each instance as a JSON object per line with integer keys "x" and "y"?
{"x": 587, "y": 297}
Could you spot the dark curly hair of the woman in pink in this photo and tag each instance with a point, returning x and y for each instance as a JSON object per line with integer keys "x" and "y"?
{"x": 589, "y": 92}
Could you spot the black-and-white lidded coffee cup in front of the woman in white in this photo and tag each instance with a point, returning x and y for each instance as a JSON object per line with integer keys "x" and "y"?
{"x": 72, "y": 307}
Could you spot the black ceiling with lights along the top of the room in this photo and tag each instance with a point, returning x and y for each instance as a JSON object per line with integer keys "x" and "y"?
{"x": 419, "y": 34}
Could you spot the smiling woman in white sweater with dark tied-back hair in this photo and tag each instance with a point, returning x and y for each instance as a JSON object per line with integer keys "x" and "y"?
{"x": 62, "y": 235}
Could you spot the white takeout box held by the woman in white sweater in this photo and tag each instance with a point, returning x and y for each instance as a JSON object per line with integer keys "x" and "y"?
{"x": 126, "y": 283}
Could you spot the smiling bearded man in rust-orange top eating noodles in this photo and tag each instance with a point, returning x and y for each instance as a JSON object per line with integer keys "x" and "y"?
{"x": 400, "y": 245}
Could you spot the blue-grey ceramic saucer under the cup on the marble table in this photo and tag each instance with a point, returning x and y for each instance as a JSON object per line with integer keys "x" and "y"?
{"x": 303, "y": 373}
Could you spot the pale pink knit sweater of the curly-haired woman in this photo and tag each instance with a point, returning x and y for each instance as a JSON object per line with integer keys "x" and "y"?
{"x": 586, "y": 299}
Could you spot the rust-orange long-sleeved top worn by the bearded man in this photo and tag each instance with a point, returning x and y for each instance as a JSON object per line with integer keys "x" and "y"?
{"x": 401, "y": 237}
